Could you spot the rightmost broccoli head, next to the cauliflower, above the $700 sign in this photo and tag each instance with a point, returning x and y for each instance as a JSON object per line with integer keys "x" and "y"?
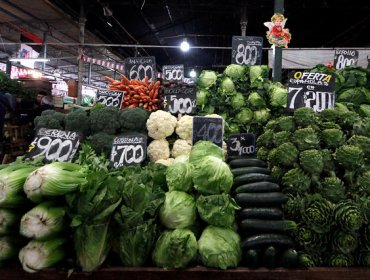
{"x": 133, "y": 120}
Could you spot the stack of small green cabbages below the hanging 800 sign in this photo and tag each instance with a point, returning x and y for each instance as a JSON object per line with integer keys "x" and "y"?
{"x": 242, "y": 95}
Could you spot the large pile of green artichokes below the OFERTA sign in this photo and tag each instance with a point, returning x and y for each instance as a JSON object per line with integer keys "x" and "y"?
{"x": 322, "y": 163}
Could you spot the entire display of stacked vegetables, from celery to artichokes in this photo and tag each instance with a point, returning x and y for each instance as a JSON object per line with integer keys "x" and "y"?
{"x": 302, "y": 201}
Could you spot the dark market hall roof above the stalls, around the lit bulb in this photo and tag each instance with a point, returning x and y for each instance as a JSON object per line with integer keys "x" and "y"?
{"x": 313, "y": 24}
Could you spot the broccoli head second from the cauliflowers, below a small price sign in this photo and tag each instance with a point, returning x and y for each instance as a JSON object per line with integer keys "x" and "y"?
{"x": 105, "y": 120}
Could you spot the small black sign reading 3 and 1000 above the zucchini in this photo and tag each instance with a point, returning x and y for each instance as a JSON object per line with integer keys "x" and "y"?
{"x": 241, "y": 144}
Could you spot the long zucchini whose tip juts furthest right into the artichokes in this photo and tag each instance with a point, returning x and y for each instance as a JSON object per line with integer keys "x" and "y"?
{"x": 259, "y": 225}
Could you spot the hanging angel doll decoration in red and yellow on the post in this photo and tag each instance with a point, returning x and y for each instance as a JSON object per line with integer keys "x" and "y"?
{"x": 277, "y": 35}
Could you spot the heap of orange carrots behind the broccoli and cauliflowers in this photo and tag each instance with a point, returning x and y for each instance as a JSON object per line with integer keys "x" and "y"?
{"x": 137, "y": 93}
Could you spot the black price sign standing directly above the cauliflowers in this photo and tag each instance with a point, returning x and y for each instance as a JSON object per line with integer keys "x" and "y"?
{"x": 180, "y": 100}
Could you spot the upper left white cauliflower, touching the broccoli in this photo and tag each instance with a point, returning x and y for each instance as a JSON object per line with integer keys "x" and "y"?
{"x": 160, "y": 124}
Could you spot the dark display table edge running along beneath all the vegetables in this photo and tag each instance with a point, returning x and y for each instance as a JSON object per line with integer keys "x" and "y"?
{"x": 194, "y": 274}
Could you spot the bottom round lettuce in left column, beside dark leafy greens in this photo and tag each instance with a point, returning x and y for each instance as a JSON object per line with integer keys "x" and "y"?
{"x": 175, "y": 249}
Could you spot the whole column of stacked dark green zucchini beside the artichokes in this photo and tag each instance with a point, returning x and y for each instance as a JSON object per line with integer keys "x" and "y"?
{"x": 261, "y": 223}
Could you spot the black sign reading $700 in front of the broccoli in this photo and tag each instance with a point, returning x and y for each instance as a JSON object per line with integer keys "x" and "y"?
{"x": 128, "y": 149}
